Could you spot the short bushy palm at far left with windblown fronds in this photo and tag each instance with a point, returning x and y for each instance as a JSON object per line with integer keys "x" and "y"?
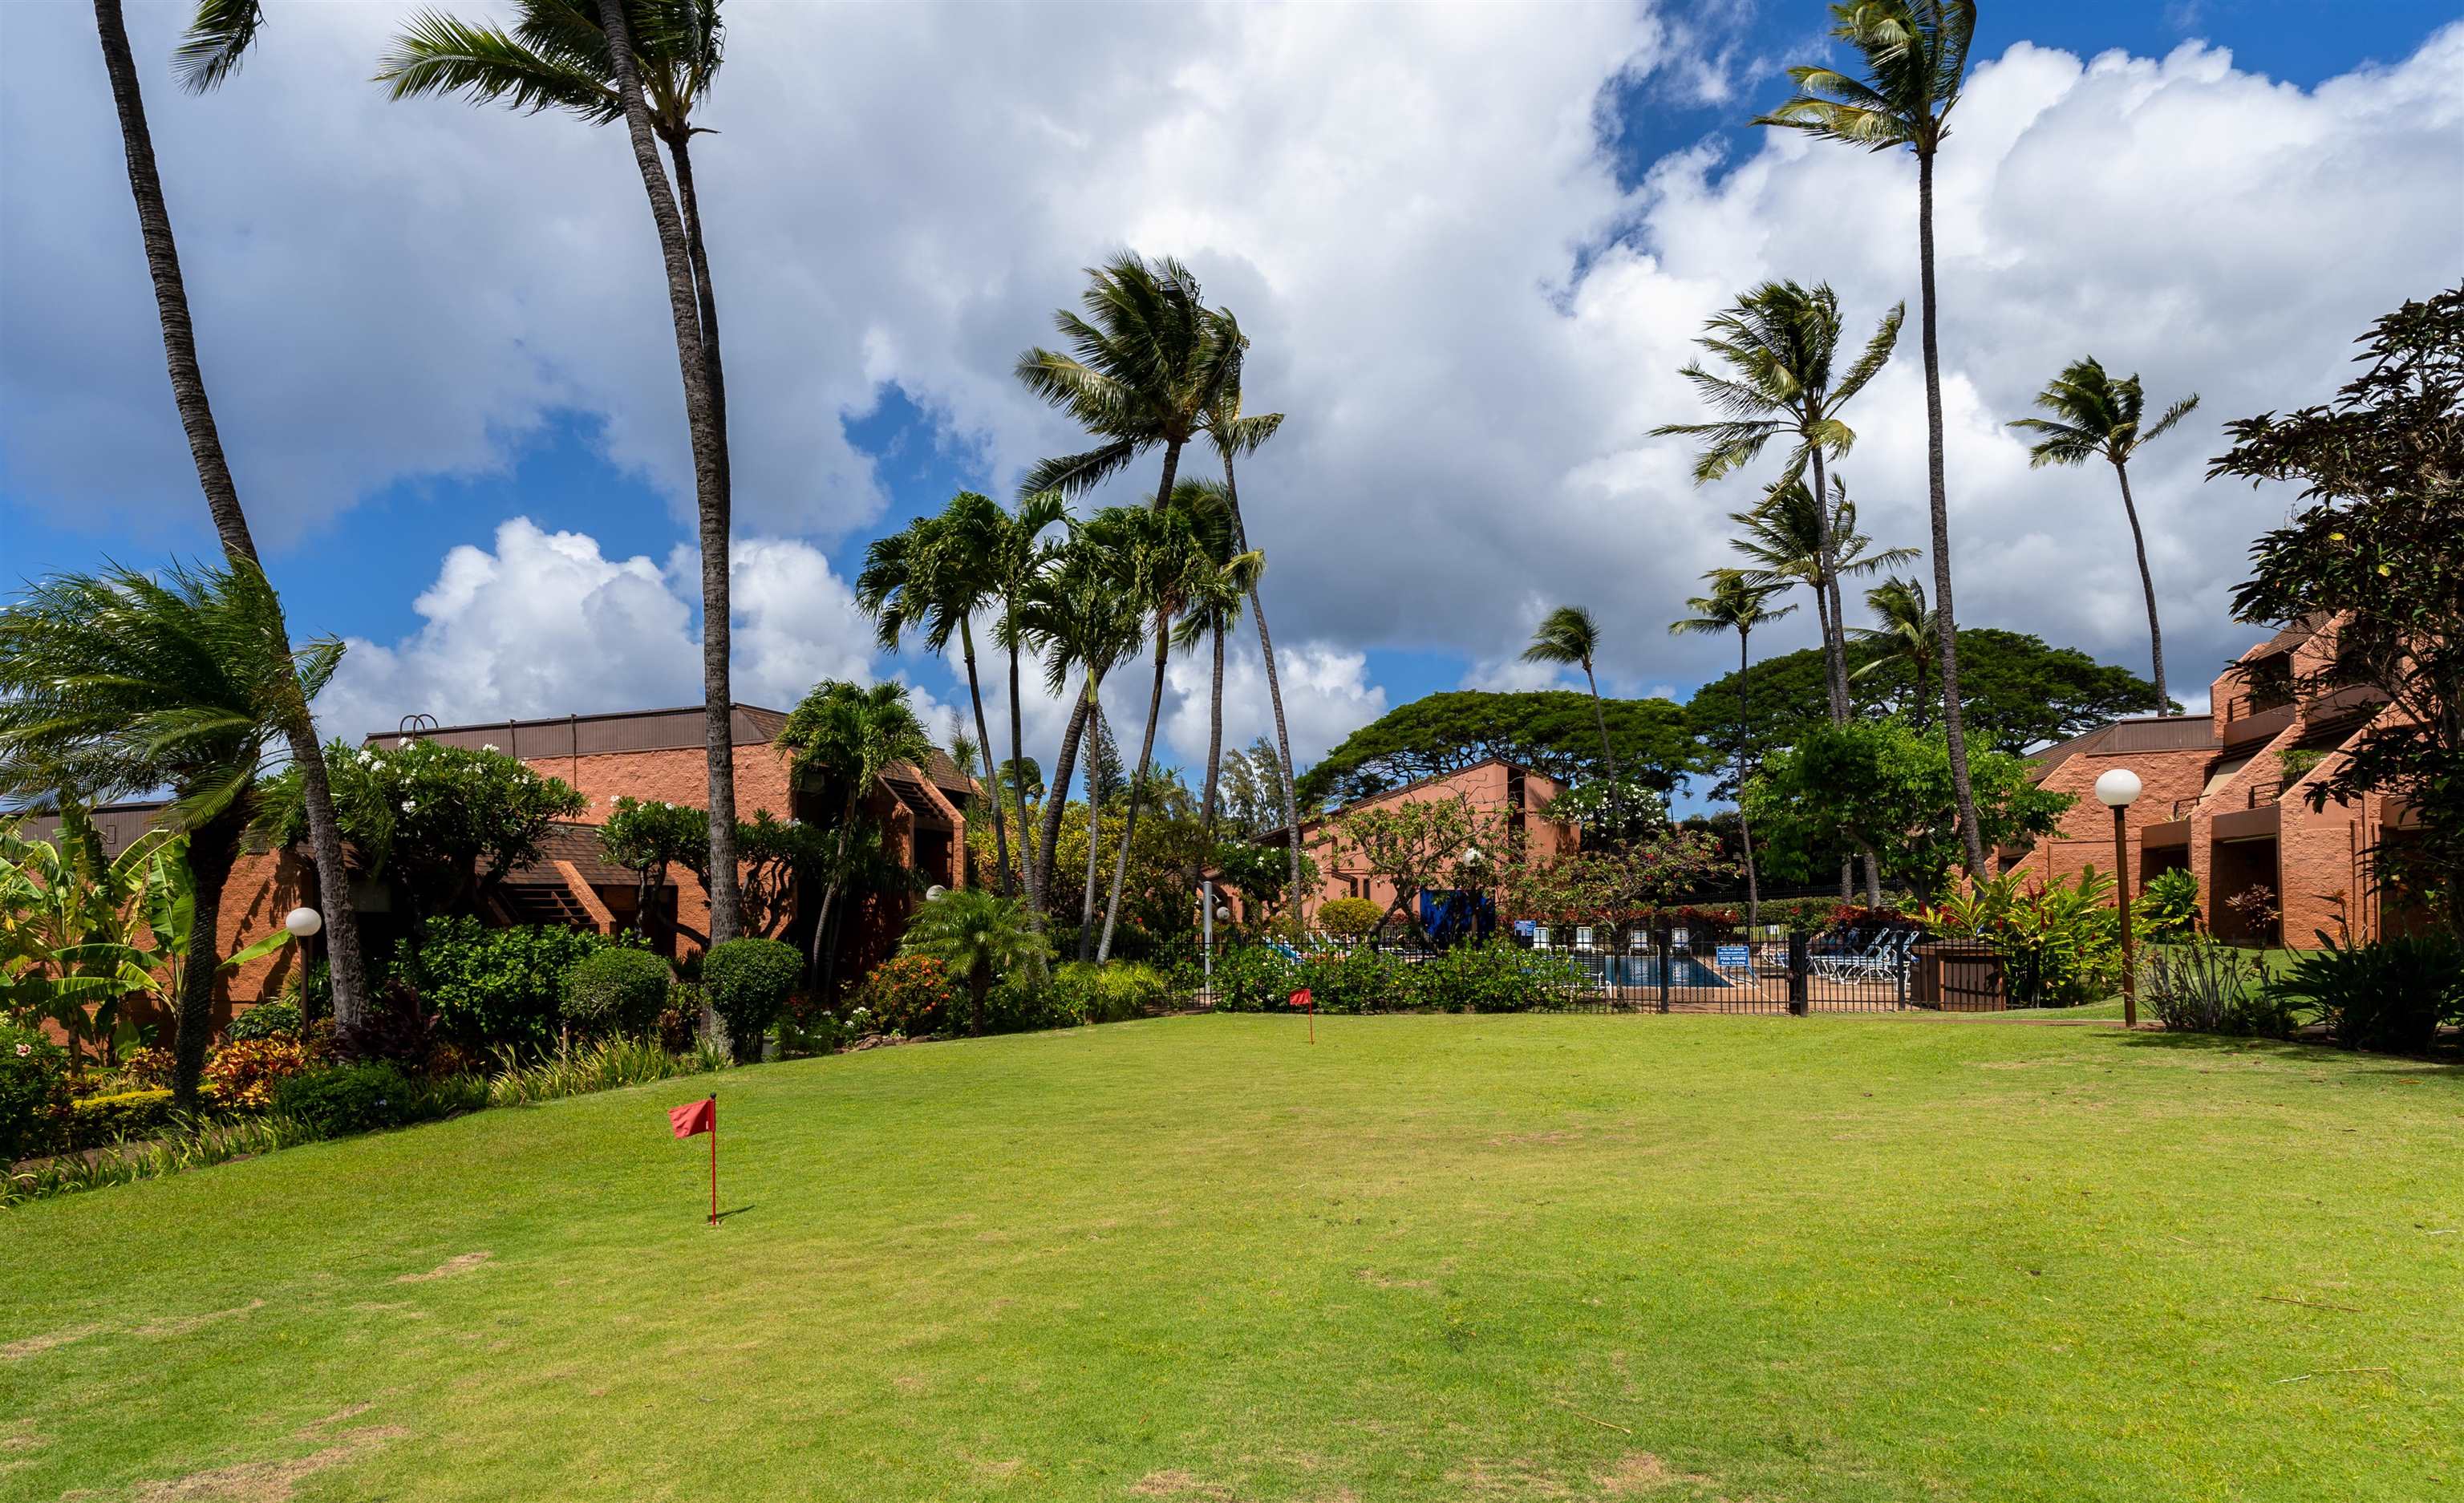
{"x": 117, "y": 684}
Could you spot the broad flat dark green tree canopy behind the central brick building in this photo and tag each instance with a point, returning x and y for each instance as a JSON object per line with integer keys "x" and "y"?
{"x": 1551, "y": 733}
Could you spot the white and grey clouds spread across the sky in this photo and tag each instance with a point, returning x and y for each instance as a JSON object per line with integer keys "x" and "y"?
{"x": 1465, "y": 317}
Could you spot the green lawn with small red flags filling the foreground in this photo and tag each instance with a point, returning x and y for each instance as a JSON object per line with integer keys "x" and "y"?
{"x": 1199, "y": 1260}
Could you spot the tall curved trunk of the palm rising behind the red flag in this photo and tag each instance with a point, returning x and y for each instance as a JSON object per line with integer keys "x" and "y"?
{"x": 703, "y": 423}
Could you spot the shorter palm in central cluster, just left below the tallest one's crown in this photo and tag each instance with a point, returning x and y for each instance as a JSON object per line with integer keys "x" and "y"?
{"x": 1080, "y": 620}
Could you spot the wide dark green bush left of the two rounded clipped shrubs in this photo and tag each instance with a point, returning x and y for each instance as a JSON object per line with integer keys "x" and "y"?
{"x": 494, "y": 987}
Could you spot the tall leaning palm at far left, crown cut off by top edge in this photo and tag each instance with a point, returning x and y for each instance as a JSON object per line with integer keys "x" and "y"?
{"x": 213, "y": 48}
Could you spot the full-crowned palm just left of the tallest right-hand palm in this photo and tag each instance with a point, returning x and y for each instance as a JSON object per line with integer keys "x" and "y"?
{"x": 1778, "y": 349}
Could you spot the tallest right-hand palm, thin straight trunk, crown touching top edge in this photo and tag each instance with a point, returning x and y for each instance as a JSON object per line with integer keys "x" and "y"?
{"x": 1916, "y": 65}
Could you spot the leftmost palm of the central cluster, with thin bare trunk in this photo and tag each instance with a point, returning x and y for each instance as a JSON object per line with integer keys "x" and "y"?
{"x": 935, "y": 578}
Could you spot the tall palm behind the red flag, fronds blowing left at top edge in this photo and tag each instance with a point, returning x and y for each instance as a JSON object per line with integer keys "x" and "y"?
{"x": 644, "y": 63}
